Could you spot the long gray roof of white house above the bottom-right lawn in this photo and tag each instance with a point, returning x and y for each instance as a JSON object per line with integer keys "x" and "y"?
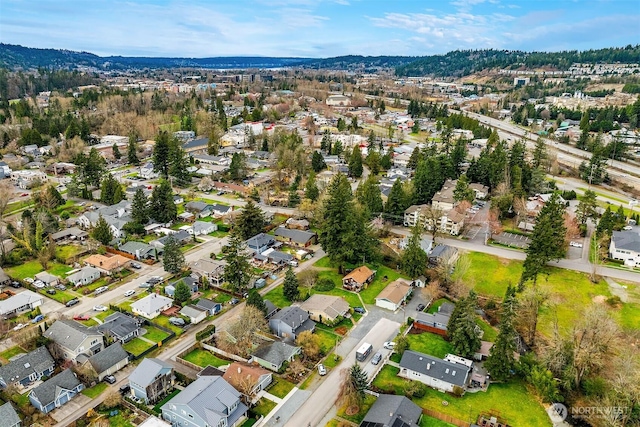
{"x": 433, "y": 367}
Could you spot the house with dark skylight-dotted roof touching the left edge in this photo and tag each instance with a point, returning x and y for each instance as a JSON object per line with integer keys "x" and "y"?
{"x": 28, "y": 368}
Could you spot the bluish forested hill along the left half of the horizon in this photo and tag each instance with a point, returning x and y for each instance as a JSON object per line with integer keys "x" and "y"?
{"x": 19, "y": 57}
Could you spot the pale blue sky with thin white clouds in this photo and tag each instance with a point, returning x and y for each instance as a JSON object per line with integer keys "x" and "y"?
{"x": 316, "y": 28}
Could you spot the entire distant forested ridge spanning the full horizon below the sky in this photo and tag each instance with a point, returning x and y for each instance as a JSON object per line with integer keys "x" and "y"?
{"x": 457, "y": 63}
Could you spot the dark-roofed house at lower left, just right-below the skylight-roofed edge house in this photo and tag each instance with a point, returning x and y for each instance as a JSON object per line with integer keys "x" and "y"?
{"x": 56, "y": 391}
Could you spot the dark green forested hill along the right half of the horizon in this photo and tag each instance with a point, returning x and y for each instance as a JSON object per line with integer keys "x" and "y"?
{"x": 464, "y": 62}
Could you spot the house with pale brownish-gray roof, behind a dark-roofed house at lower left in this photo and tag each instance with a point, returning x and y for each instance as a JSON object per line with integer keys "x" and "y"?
{"x": 74, "y": 340}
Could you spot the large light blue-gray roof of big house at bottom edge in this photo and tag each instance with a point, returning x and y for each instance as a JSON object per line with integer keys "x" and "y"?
{"x": 210, "y": 397}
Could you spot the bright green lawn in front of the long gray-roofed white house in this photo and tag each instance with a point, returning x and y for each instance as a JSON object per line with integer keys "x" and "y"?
{"x": 511, "y": 400}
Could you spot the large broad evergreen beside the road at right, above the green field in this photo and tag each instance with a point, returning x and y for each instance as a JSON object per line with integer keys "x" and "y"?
{"x": 547, "y": 239}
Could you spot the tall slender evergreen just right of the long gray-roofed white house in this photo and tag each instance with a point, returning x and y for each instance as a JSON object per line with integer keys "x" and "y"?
{"x": 501, "y": 363}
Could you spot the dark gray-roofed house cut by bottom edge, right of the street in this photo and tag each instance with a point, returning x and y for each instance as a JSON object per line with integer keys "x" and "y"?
{"x": 390, "y": 410}
